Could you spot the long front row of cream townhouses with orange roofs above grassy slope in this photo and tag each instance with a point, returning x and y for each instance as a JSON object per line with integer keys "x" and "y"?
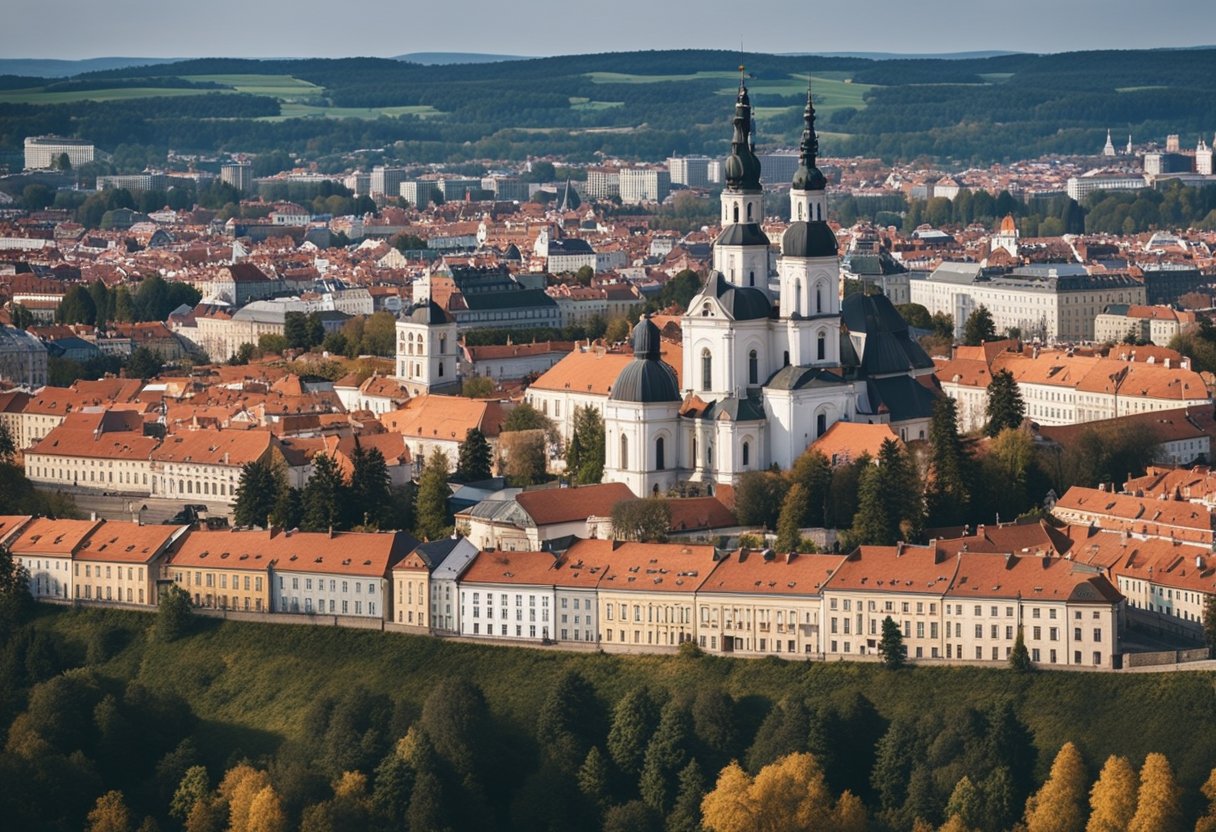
{"x": 955, "y": 601}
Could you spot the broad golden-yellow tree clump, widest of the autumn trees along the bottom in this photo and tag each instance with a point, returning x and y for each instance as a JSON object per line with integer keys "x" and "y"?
{"x": 787, "y": 796}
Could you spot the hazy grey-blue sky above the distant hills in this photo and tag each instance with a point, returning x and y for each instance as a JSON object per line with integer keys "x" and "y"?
{"x": 258, "y": 29}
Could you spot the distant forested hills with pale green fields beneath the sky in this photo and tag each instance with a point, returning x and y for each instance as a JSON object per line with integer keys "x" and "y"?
{"x": 633, "y": 105}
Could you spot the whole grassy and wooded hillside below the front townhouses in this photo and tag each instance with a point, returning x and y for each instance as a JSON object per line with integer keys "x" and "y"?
{"x": 121, "y": 721}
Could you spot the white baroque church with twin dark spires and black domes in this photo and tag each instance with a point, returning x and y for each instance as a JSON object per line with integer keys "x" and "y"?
{"x": 770, "y": 361}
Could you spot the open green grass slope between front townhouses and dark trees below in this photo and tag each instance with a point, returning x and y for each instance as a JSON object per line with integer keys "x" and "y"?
{"x": 252, "y": 685}
